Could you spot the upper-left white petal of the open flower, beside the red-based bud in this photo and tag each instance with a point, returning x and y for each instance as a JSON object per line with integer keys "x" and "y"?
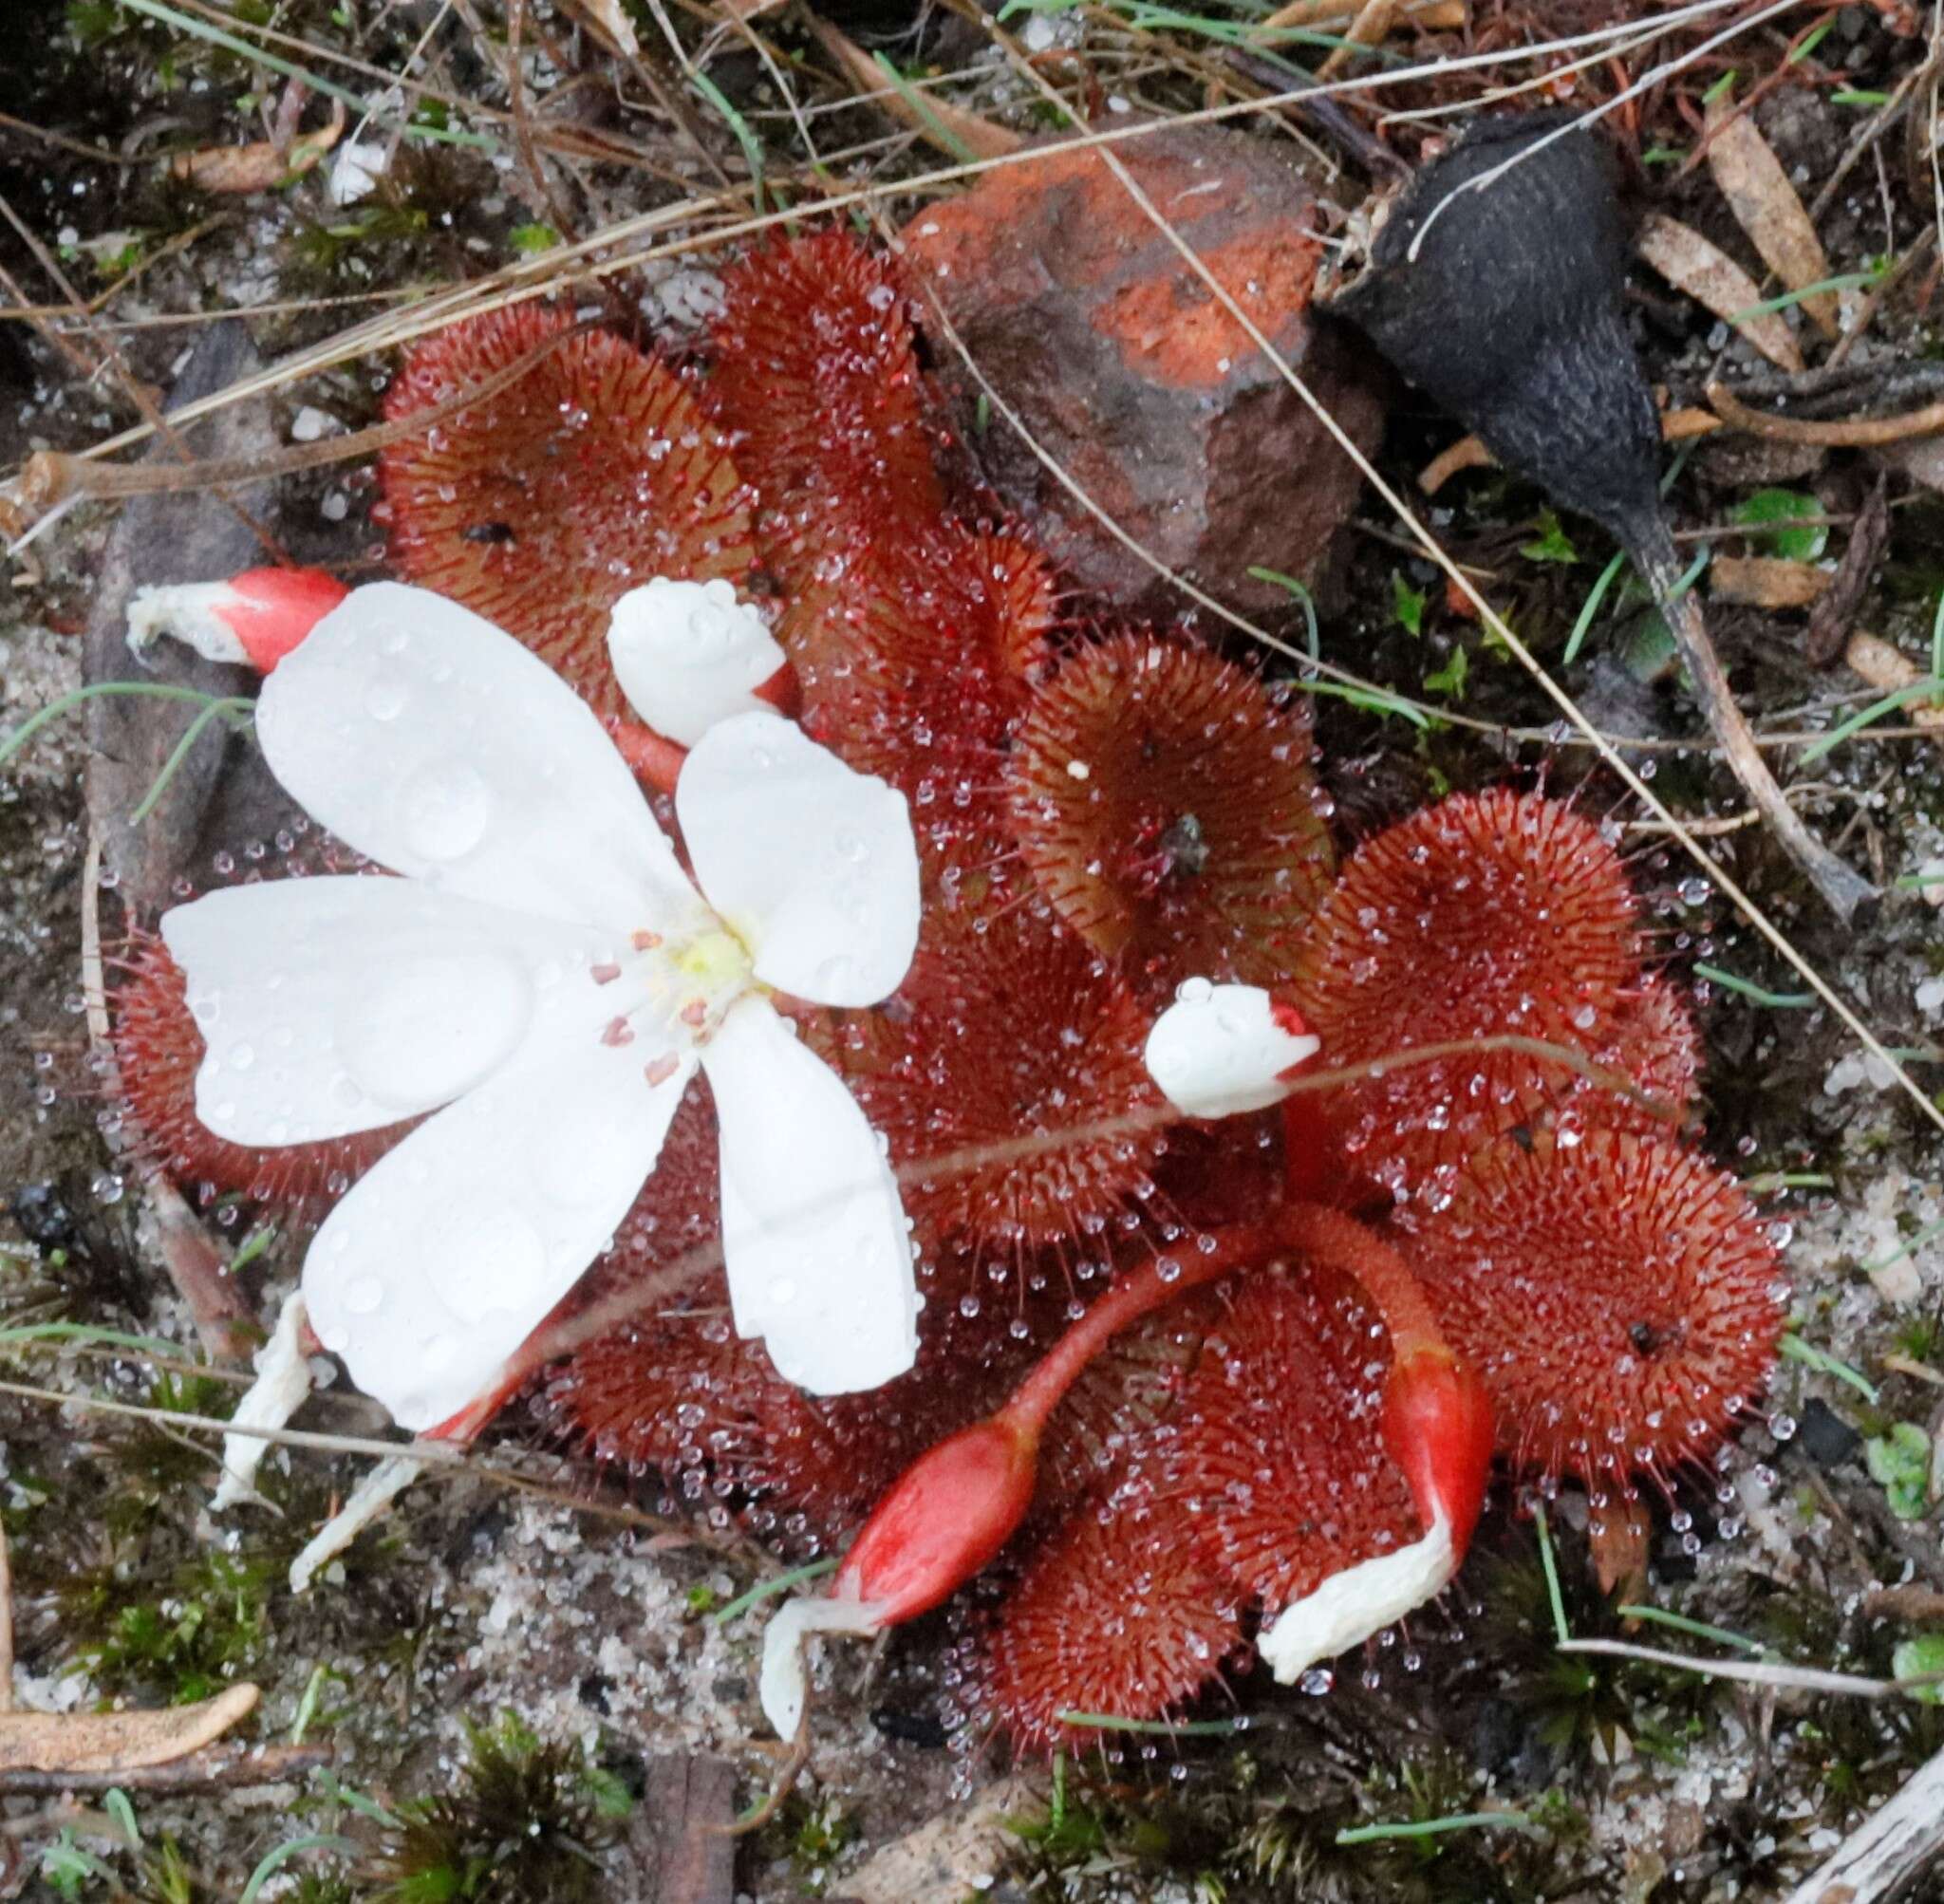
{"x": 433, "y": 742}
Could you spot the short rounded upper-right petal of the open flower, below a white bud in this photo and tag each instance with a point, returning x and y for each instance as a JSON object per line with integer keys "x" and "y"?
{"x": 812, "y": 864}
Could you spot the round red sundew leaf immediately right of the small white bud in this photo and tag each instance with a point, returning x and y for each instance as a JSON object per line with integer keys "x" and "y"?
{"x": 1486, "y": 915}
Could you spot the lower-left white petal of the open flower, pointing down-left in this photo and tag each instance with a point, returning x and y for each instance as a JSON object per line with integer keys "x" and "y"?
{"x": 448, "y": 1253}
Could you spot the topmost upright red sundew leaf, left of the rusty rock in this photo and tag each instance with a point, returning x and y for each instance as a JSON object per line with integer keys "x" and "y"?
{"x": 817, "y": 384}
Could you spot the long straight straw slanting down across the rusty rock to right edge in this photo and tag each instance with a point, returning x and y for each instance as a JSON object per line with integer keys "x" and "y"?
{"x": 1498, "y": 625}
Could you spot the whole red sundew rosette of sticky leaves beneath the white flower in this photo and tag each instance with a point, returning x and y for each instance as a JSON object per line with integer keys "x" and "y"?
{"x": 1294, "y": 1456}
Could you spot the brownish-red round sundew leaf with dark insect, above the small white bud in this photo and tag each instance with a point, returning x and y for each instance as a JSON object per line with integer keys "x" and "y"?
{"x": 1165, "y": 806}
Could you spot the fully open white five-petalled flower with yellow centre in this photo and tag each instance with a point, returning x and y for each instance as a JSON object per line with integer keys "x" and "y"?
{"x": 545, "y": 979}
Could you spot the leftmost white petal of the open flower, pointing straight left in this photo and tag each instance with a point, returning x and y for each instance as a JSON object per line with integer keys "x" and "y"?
{"x": 343, "y": 1005}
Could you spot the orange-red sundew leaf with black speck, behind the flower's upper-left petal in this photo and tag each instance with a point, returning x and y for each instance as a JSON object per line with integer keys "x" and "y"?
{"x": 543, "y": 505}
